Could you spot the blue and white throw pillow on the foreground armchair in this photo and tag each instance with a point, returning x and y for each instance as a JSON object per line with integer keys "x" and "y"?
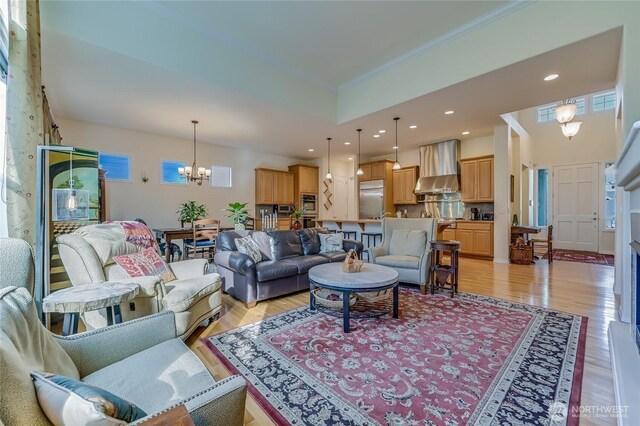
{"x": 67, "y": 401}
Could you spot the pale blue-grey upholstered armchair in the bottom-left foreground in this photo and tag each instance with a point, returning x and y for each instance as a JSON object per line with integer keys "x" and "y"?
{"x": 141, "y": 361}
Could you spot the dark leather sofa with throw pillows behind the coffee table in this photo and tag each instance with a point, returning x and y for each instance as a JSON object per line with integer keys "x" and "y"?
{"x": 294, "y": 253}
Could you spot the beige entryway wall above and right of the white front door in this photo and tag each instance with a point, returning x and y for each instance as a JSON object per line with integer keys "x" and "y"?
{"x": 595, "y": 143}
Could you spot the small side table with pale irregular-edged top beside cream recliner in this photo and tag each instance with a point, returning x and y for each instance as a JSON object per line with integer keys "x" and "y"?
{"x": 75, "y": 300}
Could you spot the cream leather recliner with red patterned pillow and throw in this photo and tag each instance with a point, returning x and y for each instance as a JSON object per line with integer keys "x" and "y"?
{"x": 87, "y": 255}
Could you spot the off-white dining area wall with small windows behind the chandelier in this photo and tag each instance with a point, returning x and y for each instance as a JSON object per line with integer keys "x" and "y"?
{"x": 154, "y": 201}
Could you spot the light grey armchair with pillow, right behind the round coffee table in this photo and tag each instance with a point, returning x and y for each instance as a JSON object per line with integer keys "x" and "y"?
{"x": 405, "y": 247}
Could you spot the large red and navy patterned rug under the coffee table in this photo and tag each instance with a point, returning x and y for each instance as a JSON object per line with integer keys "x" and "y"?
{"x": 468, "y": 360}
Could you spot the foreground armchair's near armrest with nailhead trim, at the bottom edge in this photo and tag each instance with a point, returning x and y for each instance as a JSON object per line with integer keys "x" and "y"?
{"x": 224, "y": 402}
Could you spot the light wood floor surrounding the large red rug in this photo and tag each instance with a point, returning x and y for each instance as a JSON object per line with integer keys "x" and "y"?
{"x": 572, "y": 287}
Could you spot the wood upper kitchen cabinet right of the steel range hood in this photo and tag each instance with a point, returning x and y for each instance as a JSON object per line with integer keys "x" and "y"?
{"x": 476, "y": 175}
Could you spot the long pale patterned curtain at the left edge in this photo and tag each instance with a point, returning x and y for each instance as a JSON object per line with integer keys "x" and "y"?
{"x": 24, "y": 131}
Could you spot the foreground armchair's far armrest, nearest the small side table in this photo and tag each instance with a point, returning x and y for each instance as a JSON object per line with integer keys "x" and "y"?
{"x": 99, "y": 348}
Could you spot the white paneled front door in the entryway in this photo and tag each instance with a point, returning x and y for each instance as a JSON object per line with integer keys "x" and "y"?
{"x": 575, "y": 207}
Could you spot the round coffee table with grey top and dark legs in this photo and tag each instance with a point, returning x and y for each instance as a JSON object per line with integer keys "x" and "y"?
{"x": 371, "y": 278}
